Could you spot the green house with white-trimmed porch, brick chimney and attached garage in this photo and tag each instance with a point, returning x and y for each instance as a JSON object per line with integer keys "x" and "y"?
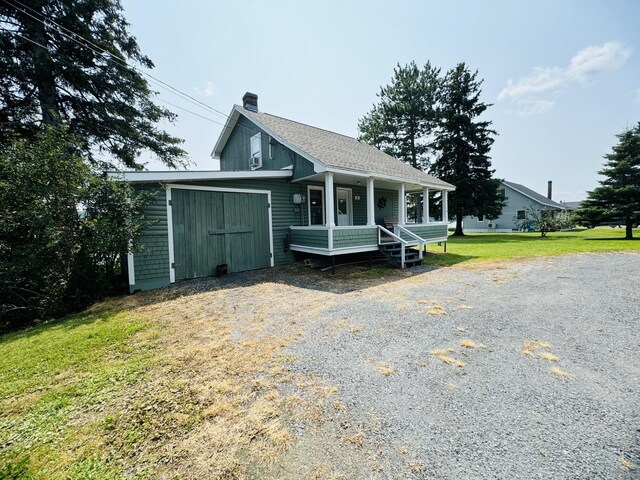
{"x": 283, "y": 189}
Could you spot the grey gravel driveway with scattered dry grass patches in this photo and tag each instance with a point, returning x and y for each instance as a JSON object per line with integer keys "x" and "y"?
{"x": 548, "y": 386}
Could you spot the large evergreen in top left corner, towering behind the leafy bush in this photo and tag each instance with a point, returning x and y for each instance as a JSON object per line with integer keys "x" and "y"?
{"x": 71, "y": 62}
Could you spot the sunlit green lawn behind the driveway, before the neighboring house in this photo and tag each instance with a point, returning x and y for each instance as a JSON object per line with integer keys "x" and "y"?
{"x": 474, "y": 247}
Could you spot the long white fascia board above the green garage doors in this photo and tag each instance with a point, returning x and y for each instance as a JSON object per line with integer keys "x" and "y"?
{"x": 171, "y": 176}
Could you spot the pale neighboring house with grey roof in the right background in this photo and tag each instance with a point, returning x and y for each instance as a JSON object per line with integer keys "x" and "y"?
{"x": 518, "y": 198}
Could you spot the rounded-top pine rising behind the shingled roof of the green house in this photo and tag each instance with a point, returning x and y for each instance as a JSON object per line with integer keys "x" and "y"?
{"x": 400, "y": 124}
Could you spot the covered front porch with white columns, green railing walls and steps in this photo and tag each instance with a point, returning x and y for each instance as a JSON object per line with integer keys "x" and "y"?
{"x": 402, "y": 241}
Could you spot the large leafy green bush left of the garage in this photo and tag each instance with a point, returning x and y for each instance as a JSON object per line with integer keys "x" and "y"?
{"x": 63, "y": 227}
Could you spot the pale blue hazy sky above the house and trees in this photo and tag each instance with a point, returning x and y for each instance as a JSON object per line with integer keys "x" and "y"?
{"x": 563, "y": 76}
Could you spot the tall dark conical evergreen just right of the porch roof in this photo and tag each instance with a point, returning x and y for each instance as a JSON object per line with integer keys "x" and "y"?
{"x": 462, "y": 144}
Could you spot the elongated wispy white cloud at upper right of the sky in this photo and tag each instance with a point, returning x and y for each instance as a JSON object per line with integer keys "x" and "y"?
{"x": 525, "y": 92}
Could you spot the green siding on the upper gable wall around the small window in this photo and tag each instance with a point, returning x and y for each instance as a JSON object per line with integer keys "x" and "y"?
{"x": 236, "y": 152}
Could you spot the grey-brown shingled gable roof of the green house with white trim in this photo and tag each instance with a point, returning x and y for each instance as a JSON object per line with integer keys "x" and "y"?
{"x": 331, "y": 151}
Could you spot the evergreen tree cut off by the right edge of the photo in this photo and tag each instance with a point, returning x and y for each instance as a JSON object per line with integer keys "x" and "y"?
{"x": 618, "y": 196}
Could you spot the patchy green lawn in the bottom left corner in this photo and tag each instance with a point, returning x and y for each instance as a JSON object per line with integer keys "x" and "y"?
{"x": 55, "y": 382}
